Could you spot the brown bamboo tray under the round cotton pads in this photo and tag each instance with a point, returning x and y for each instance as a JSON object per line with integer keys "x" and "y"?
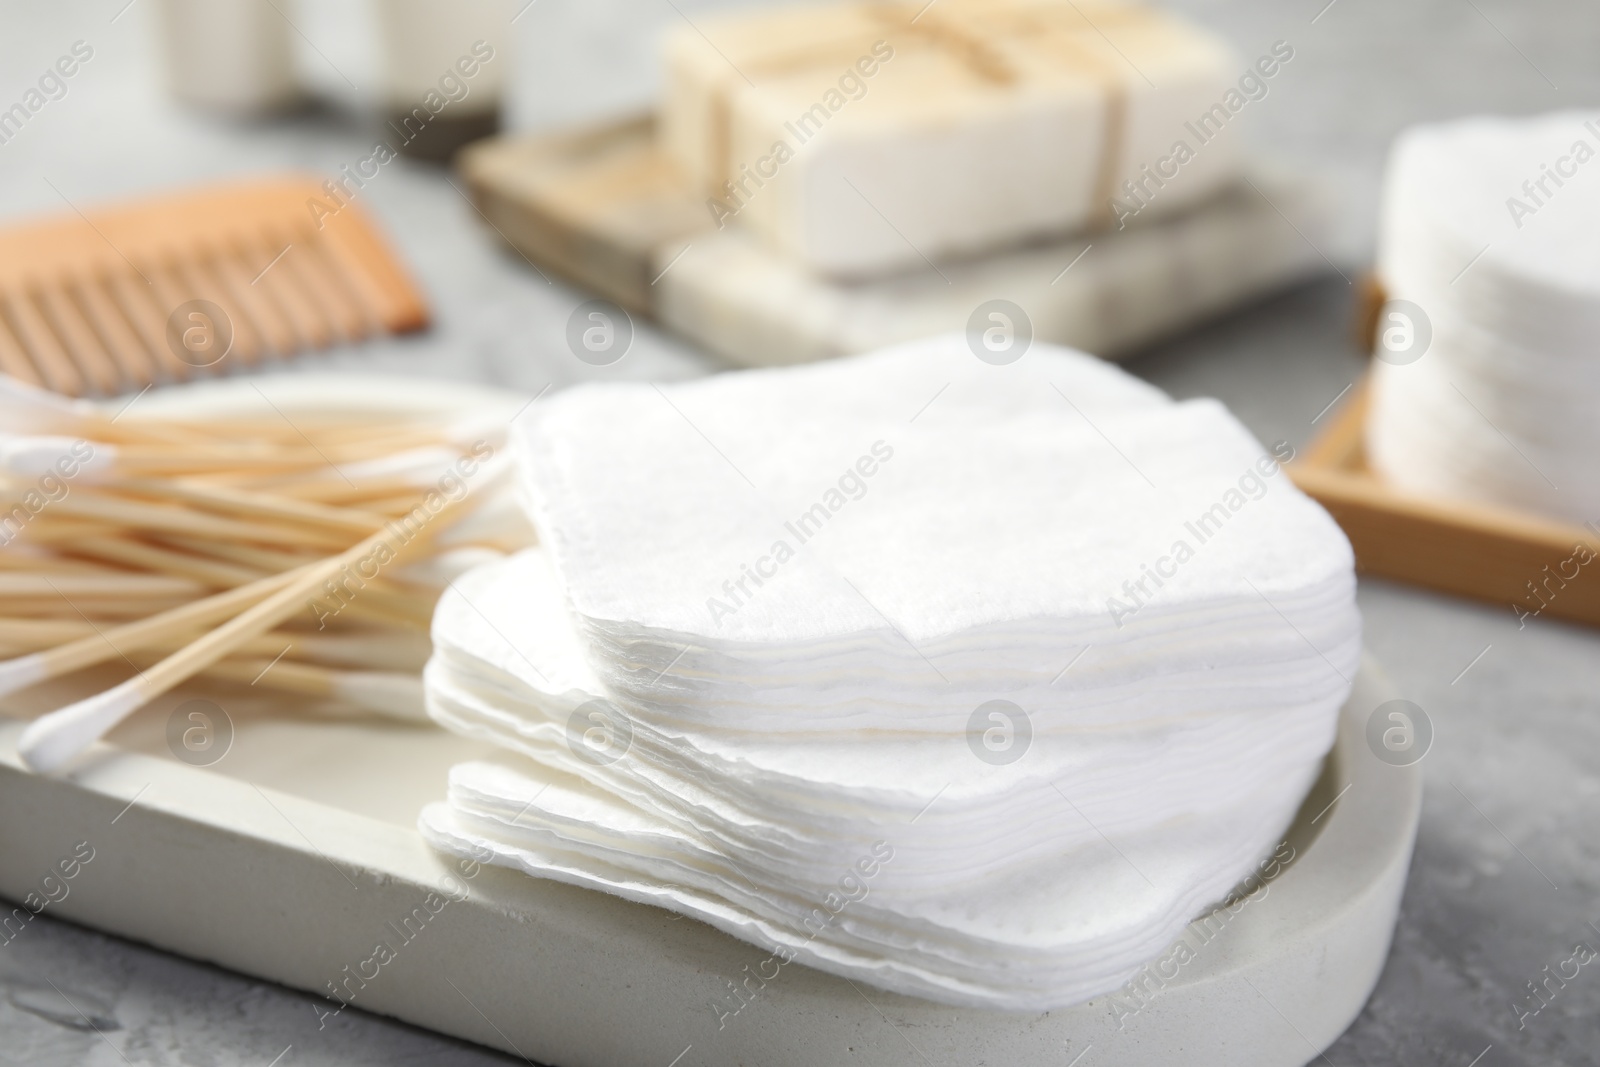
{"x": 1463, "y": 548}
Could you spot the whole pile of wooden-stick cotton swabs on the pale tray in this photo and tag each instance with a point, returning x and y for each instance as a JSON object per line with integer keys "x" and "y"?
{"x": 295, "y": 554}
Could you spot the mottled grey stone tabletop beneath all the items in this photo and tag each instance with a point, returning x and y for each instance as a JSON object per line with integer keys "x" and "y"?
{"x": 1506, "y": 877}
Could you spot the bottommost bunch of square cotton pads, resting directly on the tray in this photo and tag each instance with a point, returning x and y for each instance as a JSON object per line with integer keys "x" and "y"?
{"x": 1089, "y": 922}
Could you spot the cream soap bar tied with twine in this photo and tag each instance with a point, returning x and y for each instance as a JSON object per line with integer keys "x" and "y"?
{"x": 874, "y": 137}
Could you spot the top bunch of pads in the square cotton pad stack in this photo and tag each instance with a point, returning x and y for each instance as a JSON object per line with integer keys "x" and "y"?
{"x": 966, "y": 549}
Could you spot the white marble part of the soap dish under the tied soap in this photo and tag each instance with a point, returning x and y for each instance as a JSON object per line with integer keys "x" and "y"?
{"x": 1106, "y": 294}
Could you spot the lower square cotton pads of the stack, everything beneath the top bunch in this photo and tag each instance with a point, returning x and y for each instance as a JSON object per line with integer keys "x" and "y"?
{"x": 1098, "y": 865}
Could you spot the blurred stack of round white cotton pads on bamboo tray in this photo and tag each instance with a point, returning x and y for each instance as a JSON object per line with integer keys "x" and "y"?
{"x": 1487, "y": 382}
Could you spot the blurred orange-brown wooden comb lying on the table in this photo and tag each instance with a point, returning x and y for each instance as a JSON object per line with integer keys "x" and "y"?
{"x": 105, "y": 303}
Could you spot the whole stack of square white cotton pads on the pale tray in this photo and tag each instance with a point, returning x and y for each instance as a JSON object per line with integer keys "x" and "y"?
{"x": 967, "y": 682}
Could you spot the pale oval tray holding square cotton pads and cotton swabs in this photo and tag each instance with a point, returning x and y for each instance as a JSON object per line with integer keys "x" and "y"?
{"x": 297, "y": 855}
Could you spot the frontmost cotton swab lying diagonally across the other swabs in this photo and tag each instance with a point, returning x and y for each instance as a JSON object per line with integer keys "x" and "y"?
{"x": 50, "y": 741}
